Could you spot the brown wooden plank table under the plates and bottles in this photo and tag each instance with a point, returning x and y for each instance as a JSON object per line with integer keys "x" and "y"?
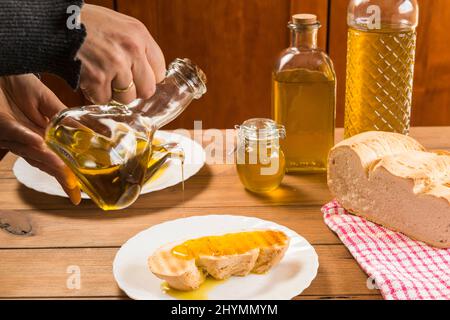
{"x": 87, "y": 238}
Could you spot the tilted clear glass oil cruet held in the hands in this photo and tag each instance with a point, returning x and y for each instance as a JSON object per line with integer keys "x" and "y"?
{"x": 109, "y": 147}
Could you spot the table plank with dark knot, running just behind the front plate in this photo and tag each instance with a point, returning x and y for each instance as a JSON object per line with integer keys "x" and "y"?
{"x": 81, "y": 229}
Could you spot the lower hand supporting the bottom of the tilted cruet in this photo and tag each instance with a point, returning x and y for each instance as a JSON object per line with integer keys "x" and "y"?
{"x": 26, "y": 105}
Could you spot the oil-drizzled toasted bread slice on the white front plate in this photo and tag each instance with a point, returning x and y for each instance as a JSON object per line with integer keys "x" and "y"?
{"x": 256, "y": 252}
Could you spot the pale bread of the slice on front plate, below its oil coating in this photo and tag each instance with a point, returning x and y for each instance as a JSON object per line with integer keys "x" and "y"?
{"x": 188, "y": 274}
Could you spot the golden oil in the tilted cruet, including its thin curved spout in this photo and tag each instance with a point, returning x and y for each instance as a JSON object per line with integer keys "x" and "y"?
{"x": 112, "y": 186}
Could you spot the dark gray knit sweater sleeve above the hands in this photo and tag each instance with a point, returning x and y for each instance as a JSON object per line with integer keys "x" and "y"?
{"x": 34, "y": 38}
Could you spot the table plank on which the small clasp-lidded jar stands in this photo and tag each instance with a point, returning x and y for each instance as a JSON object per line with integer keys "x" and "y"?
{"x": 309, "y": 190}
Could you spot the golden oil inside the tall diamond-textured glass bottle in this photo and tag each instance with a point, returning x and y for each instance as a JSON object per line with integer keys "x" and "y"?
{"x": 380, "y": 69}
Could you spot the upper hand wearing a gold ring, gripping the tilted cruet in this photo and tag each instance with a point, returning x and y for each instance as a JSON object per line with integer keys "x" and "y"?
{"x": 118, "y": 53}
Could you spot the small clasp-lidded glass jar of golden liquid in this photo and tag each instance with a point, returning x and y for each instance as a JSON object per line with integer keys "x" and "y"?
{"x": 260, "y": 162}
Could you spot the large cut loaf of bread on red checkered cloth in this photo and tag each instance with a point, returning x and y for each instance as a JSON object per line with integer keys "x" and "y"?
{"x": 391, "y": 180}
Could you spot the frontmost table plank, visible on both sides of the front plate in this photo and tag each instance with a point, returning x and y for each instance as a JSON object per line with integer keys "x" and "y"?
{"x": 43, "y": 273}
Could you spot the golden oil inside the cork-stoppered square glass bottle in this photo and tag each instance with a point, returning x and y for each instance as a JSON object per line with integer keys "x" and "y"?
{"x": 304, "y": 103}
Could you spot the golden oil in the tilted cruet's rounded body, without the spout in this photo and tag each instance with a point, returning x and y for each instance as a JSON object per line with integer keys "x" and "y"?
{"x": 110, "y": 169}
